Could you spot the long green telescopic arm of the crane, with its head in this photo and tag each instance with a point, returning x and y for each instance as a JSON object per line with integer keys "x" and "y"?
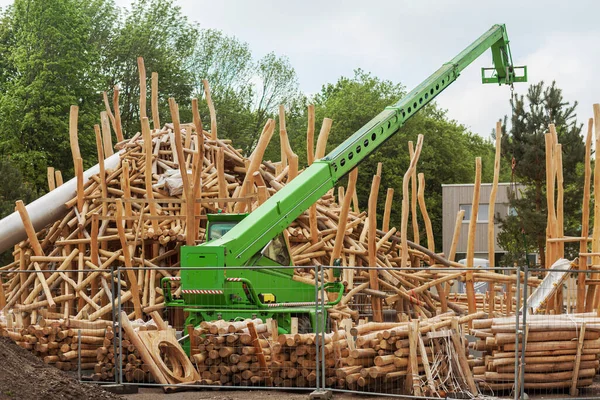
{"x": 250, "y": 236}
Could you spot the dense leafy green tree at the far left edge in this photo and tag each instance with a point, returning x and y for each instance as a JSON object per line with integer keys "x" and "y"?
{"x": 50, "y": 54}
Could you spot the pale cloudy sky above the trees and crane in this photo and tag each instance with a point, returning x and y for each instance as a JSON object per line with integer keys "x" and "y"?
{"x": 405, "y": 41}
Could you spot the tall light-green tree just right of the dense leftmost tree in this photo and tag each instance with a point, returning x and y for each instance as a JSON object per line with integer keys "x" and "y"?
{"x": 157, "y": 31}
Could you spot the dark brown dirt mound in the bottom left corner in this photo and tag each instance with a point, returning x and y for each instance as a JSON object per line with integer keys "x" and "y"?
{"x": 24, "y": 376}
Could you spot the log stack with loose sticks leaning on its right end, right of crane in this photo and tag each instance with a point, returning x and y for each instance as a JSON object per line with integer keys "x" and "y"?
{"x": 412, "y": 357}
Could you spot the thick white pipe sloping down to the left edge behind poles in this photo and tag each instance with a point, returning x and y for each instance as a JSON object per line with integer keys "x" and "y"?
{"x": 47, "y": 209}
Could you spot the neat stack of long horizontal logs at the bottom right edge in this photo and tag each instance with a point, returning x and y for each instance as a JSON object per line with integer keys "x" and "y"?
{"x": 561, "y": 351}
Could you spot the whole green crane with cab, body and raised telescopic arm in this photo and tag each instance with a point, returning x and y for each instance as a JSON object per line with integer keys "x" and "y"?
{"x": 214, "y": 283}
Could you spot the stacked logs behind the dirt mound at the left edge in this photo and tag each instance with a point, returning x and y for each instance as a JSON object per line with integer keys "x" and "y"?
{"x": 68, "y": 345}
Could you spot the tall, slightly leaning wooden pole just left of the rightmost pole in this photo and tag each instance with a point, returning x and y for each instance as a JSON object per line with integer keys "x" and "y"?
{"x": 585, "y": 218}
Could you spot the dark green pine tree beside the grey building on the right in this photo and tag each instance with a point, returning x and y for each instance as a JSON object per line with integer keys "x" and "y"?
{"x": 525, "y": 143}
